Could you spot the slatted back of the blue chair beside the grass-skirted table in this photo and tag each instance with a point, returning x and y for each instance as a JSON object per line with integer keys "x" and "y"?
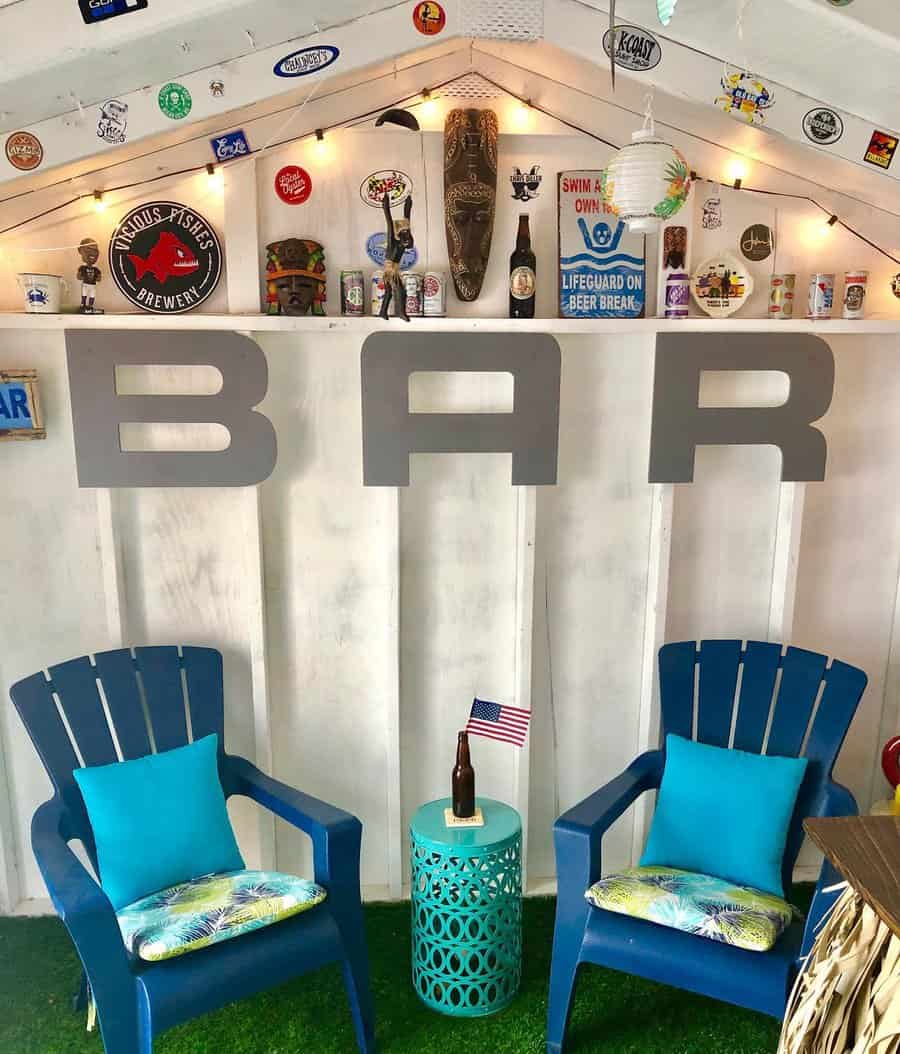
{"x": 790, "y": 704}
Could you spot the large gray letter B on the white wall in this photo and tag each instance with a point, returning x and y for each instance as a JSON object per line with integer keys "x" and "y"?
{"x": 97, "y": 411}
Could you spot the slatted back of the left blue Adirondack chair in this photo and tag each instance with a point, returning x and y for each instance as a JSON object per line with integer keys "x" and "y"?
{"x": 149, "y": 694}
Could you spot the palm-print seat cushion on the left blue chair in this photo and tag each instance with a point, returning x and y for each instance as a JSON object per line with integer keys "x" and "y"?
{"x": 206, "y": 911}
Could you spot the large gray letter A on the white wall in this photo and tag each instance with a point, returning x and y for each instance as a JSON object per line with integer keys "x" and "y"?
{"x": 392, "y": 434}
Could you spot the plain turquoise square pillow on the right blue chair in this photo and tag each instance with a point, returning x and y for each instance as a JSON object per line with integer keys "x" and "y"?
{"x": 725, "y": 813}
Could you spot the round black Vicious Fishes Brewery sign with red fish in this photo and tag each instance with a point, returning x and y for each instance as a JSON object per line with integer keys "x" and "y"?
{"x": 165, "y": 258}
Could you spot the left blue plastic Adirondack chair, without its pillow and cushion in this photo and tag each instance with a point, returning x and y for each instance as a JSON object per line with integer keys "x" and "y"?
{"x": 138, "y": 1001}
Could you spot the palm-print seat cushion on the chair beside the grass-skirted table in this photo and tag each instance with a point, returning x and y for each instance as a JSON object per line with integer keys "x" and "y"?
{"x": 696, "y": 904}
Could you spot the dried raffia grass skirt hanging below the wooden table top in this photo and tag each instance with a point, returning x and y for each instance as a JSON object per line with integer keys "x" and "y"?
{"x": 847, "y": 1001}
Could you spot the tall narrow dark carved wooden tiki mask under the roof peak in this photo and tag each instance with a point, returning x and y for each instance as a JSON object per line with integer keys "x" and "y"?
{"x": 469, "y": 196}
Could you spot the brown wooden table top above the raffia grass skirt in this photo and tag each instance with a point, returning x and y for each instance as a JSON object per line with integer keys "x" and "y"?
{"x": 867, "y": 851}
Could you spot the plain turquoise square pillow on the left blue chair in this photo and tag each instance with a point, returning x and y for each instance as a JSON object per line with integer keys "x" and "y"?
{"x": 159, "y": 821}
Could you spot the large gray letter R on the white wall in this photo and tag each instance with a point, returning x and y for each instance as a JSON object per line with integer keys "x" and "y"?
{"x": 680, "y": 425}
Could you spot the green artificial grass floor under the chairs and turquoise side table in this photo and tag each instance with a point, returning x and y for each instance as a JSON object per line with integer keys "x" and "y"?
{"x": 614, "y": 1013}
